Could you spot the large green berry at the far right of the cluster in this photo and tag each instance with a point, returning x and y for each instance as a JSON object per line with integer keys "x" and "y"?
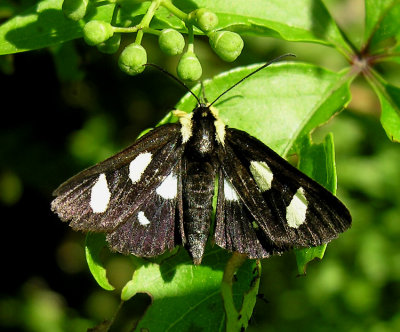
{"x": 227, "y": 44}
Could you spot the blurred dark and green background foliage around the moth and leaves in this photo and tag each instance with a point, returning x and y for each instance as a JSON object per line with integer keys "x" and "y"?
{"x": 67, "y": 107}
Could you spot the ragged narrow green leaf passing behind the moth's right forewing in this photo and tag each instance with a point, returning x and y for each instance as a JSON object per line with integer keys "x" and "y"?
{"x": 318, "y": 162}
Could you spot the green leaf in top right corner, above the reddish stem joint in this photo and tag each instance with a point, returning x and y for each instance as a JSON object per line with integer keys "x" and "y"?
{"x": 382, "y": 24}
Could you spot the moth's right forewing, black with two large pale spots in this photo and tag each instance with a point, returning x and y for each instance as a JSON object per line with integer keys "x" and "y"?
{"x": 291, "y": 209}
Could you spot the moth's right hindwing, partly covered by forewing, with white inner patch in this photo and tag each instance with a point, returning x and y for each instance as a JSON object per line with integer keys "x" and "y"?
{"x": 236, "y": 229}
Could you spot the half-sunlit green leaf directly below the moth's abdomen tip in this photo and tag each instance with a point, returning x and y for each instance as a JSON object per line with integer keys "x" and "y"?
{"x": 186, "y": 297}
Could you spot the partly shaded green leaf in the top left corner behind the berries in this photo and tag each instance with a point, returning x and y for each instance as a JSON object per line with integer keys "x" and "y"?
{"x": 44, "y": 25}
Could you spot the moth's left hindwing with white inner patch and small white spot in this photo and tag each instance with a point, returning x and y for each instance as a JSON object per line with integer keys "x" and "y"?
{"x": 154, "y": 227}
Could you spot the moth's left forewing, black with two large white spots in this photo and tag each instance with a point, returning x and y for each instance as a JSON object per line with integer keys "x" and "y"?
{"x": 102, "y": 197}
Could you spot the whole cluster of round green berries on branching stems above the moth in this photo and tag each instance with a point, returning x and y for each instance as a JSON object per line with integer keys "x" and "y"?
{"x": 107, "y": 36}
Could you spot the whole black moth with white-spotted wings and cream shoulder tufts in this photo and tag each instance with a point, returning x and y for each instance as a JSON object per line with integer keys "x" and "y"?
{"x": 158, "y": 193}
